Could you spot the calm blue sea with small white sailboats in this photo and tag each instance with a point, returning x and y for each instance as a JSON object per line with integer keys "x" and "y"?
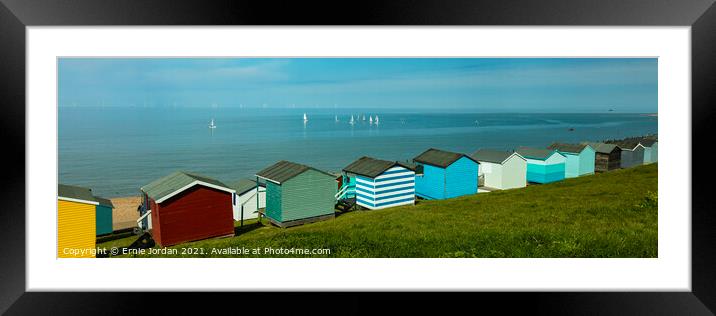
{"x": 116, "y": 150}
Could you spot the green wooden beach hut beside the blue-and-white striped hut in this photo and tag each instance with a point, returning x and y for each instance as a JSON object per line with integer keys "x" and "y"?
{"x": 297, "y": 194}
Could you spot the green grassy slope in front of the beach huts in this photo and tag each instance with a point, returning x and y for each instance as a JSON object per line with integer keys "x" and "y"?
{"x": 605, "y": 215}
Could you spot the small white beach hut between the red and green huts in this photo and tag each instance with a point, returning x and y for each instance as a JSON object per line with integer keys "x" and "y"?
{"x": 245, "y": 201}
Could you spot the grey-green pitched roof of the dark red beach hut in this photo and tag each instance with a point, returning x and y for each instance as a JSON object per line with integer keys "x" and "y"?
{"x": 167, "y": 186}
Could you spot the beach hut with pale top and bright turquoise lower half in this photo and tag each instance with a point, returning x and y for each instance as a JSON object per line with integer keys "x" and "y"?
{"x": 543, "y": 165}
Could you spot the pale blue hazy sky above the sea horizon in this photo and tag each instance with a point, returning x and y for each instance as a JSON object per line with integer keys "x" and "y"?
{"x": 567, "y": 85}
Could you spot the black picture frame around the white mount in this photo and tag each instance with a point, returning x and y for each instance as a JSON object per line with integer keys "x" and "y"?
{"x": 15, "y": 15}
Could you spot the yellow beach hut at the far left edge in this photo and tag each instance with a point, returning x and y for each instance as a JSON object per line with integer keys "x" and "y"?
{"x": 76, "y": 222}
